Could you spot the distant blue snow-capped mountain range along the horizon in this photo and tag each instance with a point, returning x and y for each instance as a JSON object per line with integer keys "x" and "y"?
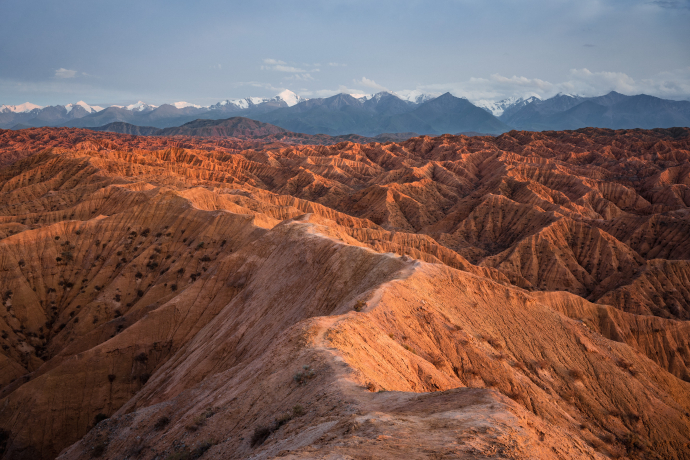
{"x": 371, "y": 115}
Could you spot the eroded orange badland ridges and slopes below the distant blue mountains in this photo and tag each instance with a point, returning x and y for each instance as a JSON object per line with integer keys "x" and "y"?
{"x": 525, "y": 296}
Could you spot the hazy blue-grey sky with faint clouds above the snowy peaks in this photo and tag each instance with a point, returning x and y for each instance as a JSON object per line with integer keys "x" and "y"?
{"x": 121, "y": 51}
